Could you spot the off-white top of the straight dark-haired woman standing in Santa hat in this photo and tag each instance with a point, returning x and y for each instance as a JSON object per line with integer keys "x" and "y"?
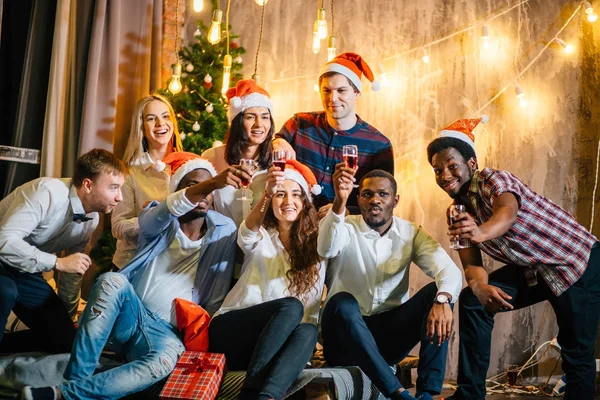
{"x": 227, "y": 200}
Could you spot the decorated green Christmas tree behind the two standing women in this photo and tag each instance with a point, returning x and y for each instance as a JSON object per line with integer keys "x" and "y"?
{"x": 201, "y": 105}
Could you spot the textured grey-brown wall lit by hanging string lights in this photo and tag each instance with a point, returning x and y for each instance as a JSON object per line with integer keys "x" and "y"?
{"x": 534, "y": 143}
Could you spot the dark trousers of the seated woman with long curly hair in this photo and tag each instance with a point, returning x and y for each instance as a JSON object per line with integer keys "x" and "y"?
{"x": 269, "y": 341}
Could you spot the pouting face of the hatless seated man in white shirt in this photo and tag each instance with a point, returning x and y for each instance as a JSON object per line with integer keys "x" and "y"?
{"x": 377, "y": 201}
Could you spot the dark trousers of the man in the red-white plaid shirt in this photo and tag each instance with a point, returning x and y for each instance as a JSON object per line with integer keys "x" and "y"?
{"x": 577, "y": 313}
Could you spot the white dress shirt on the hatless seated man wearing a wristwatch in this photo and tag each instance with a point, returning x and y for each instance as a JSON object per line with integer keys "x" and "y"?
{"x": 375, "y": 268}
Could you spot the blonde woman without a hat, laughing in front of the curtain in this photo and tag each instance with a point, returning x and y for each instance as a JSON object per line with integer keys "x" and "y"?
{"x": 153, "y": 136}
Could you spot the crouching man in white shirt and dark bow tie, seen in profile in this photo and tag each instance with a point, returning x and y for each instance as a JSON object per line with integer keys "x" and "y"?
{"x": 39, "y": 220}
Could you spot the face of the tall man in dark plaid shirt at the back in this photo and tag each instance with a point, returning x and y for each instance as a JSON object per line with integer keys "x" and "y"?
{"x": 338, "y": 97}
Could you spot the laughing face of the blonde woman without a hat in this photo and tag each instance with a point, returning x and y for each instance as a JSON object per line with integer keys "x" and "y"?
{"x": 157, "y": 125}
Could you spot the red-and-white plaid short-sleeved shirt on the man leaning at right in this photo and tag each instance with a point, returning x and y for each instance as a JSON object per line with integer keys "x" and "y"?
{"x": 545, "y": 239}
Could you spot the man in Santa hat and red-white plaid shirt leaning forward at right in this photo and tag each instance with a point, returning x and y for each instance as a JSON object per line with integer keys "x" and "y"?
{"x": 548, "y": 256}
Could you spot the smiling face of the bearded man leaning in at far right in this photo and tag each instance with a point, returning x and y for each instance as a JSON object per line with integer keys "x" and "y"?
{"x": 452, "y": 173}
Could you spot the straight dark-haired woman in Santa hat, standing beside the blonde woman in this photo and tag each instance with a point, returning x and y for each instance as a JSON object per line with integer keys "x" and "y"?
{"x": 249, "y": 137}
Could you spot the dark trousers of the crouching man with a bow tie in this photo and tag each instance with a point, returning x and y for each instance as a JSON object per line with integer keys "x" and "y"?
{"x": 36, "y": 304}
